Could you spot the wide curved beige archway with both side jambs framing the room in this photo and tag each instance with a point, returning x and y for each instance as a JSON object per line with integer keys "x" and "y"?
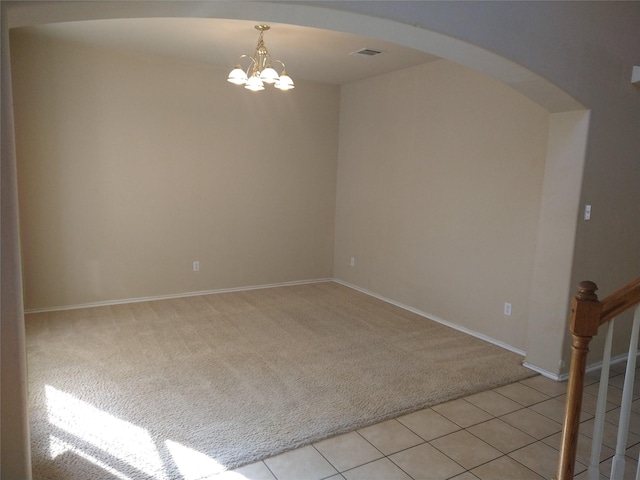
{"x": 563, "y": 155}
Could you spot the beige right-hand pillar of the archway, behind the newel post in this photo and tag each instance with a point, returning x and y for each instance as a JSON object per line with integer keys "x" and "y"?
{"x": 559, "y": 217}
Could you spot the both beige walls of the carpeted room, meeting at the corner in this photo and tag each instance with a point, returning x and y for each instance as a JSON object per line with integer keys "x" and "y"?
{"x": 132, "y": 167}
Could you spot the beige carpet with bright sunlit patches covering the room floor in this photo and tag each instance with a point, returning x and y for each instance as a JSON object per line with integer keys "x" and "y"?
{"x": 185, "y": 388}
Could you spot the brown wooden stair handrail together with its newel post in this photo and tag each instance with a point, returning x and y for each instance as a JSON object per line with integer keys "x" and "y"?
{"x": 587, "y": 315}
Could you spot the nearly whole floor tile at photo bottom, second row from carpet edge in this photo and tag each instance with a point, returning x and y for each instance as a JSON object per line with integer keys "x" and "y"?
{"x": 425, "y": 462}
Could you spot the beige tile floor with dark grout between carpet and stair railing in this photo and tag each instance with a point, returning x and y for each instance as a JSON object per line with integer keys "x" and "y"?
{"x": 511, "y": 432}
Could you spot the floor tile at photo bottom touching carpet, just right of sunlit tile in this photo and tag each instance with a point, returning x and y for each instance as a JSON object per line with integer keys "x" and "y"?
{"x": 305, "y": 463}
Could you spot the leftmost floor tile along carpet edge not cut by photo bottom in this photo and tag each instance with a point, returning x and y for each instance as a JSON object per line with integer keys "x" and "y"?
{"x": 348, "y": 451}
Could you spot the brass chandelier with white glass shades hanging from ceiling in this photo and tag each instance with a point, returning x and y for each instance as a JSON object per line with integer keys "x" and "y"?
{"x": 260, "y": 69}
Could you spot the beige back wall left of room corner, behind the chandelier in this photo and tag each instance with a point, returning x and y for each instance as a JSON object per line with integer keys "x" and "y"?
{"x": 132, "y": 167}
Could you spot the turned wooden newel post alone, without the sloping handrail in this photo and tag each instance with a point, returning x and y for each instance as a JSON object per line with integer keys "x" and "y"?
{"x": 583, "y": 325}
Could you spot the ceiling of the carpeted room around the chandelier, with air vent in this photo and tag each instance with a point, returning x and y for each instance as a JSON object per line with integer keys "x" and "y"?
{"x": 309, "y": 53}
